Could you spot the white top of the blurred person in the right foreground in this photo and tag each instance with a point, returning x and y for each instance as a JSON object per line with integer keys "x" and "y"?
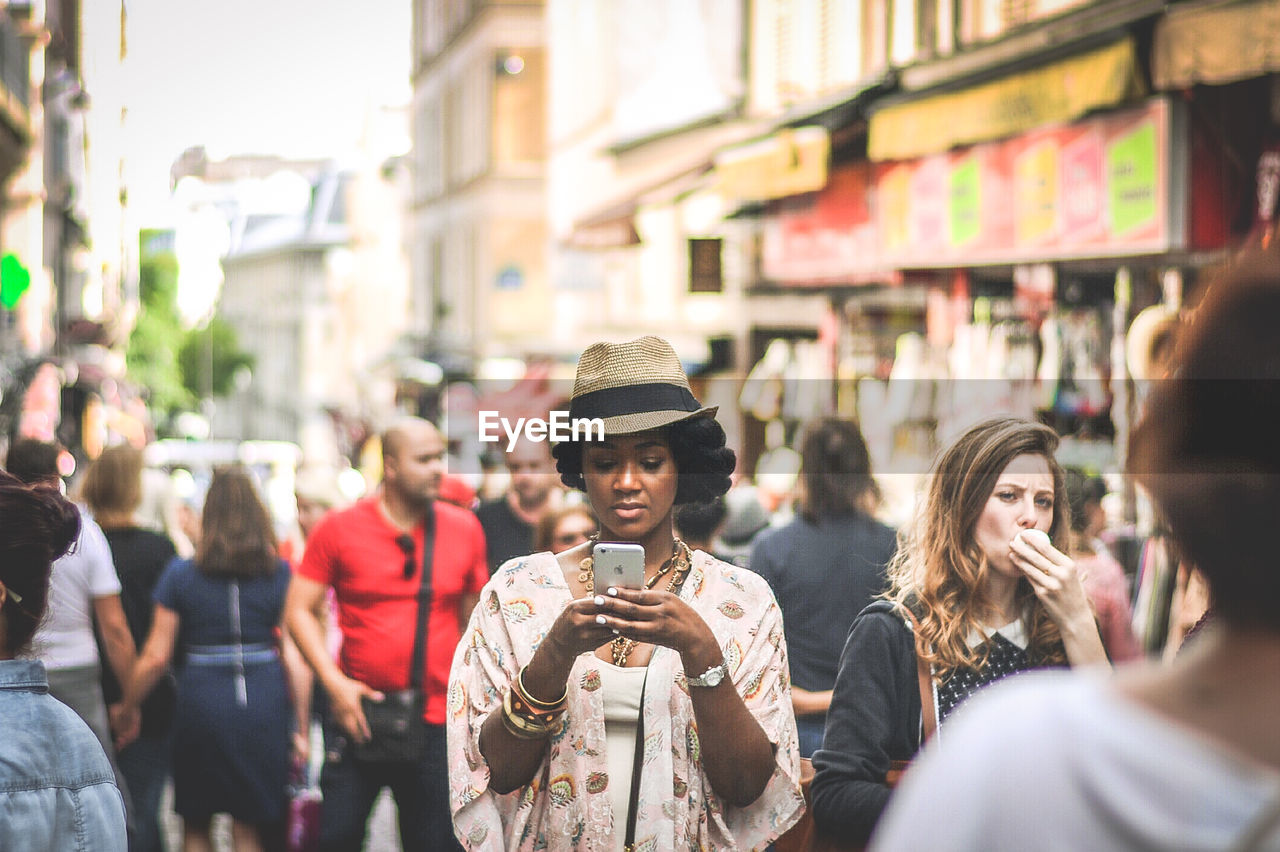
{"x": 1055, "y": 761}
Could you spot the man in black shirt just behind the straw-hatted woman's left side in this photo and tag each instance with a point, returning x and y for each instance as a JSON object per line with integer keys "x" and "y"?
{"x": 511, "y": 520}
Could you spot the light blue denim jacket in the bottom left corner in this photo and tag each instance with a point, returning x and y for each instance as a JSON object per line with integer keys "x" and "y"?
{"x": 57, "y": 789}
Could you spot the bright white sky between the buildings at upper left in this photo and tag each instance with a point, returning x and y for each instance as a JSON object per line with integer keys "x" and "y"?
{"x": 285, "y": 77}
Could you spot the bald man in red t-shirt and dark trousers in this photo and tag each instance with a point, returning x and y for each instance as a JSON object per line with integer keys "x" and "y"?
{"x": 372, "y": 556}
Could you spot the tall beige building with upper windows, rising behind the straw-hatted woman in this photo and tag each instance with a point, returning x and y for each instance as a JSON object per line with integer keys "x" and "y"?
{"x": 477, "y": 237}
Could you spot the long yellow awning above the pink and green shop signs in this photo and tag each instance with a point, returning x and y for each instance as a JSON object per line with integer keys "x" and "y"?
{"x": 1054, "y": 94}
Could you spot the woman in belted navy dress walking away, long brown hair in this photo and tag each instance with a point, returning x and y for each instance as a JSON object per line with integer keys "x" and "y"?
{"x": 220, "y": 615}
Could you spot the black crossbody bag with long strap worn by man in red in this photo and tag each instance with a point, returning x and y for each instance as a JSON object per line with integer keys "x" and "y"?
{"x": 396, "y": 727}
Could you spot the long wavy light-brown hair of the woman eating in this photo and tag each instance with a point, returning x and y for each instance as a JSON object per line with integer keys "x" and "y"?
{"x": 940, "y": 574}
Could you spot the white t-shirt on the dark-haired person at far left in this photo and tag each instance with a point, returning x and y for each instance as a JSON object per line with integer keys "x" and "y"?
{"x": 66, "y": 638}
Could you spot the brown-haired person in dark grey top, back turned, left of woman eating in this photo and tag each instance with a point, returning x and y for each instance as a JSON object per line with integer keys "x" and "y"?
{"x": 826, "y": 565}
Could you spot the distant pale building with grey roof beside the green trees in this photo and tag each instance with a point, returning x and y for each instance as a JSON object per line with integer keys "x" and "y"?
{"x": 318, "y": 299}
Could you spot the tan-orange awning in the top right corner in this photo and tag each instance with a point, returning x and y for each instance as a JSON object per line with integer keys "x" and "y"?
{"x": 1217, "y": 44}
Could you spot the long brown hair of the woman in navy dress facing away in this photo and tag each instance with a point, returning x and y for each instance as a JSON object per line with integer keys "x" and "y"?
{"x": 237, "y": 539}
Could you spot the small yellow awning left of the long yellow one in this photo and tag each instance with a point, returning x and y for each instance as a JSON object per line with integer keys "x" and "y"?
{"x": 787, "y": 163}
